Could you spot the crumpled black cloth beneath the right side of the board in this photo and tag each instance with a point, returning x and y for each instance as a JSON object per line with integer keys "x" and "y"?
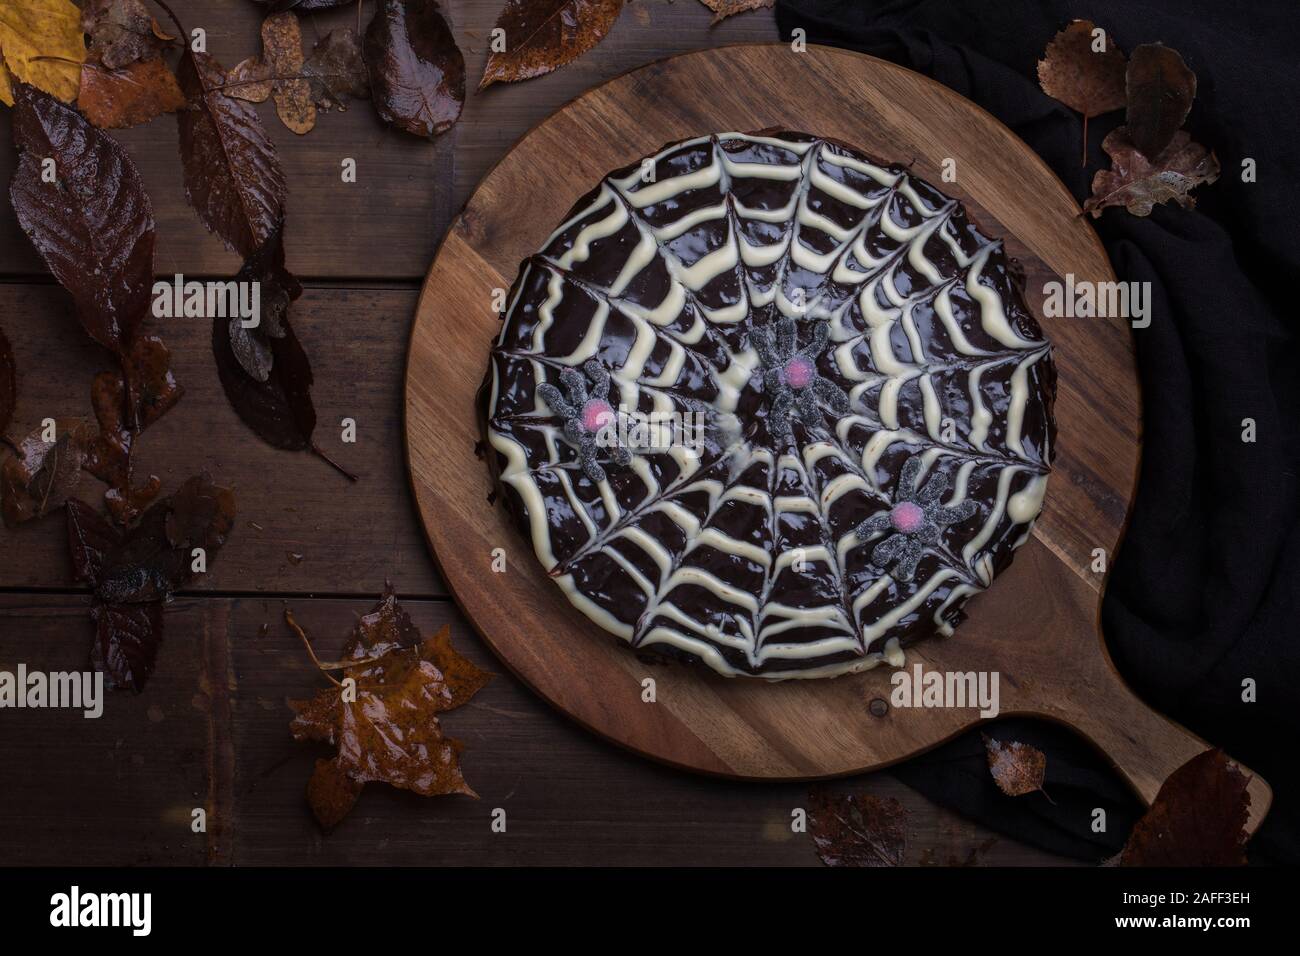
{"x": 1206, "y": 589}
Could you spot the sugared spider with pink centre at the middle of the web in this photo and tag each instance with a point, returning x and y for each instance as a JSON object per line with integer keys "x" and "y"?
{"x": 791, "y": 379}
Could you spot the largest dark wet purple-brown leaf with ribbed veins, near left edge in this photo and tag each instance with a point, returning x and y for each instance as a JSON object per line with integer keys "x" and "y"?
{"x": 94, "y": 224}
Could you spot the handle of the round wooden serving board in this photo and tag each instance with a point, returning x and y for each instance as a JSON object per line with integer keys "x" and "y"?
{"x": 1145, "y": 746}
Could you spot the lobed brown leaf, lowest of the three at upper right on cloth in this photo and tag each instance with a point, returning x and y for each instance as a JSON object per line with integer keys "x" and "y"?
{"x": 1141, "y": 185}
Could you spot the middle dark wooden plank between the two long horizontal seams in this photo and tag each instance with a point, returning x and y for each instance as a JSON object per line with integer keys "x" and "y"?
{"x": 302, "y": 527}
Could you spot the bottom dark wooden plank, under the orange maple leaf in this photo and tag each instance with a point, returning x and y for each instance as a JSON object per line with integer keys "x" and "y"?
{"x": 211, "y": 730}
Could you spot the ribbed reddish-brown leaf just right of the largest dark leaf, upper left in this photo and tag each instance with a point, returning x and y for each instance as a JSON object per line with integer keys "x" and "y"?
{"x": 232, "y": 174}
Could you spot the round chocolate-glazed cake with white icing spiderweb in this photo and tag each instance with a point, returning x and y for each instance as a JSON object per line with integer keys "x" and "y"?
{"x": 765, "y": 403}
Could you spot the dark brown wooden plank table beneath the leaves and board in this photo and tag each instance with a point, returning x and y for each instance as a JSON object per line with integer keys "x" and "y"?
{"x": 211, "y": 728}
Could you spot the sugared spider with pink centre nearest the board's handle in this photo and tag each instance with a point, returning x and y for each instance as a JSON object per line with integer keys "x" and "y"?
{"x": 916, "y": 521}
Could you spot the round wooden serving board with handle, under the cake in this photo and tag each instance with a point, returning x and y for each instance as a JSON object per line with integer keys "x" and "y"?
{"x": 1038, "y": 626}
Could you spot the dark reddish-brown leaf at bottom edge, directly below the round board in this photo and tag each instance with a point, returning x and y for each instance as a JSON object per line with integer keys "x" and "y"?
{"x": 857, "y": 830}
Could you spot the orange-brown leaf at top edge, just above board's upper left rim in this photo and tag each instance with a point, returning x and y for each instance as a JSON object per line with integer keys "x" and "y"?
{"x": 543, "y": 36}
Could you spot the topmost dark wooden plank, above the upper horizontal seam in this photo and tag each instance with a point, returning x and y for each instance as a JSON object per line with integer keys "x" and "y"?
{"x": 387, "y": 224}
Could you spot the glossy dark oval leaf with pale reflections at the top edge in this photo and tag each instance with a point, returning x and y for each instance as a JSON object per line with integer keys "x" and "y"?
{"x": 418, "y": 75}
